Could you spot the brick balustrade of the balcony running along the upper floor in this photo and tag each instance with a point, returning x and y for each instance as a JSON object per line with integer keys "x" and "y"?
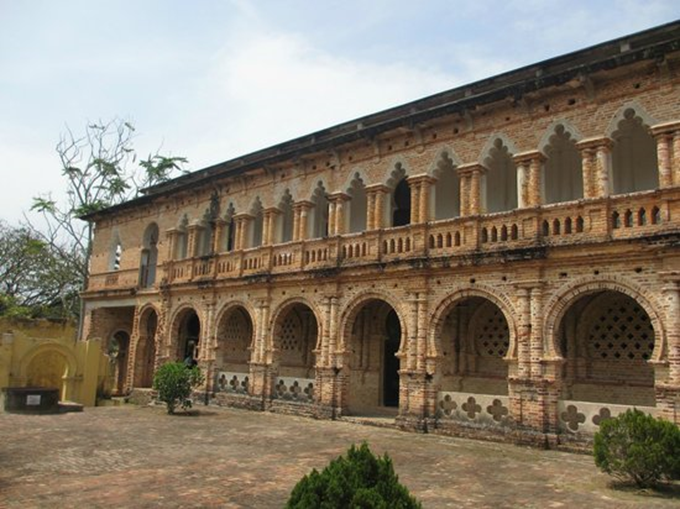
{"x": 588, "y": 221}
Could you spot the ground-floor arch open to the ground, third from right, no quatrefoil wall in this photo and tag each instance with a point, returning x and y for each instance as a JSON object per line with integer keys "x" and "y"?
{"x": 374, "y": 341}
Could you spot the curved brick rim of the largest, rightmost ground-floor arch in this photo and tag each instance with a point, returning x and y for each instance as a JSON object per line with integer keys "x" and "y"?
{"x": 562, "y": 300}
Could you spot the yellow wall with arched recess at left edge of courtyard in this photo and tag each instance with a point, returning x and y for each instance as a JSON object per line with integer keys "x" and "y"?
{"x": 44, "y": 353}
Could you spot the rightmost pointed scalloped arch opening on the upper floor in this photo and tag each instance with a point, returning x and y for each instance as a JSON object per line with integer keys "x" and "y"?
{"x": 634, "y": 155}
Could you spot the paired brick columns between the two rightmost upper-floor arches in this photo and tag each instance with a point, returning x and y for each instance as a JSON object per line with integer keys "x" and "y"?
{"x": 596, "y": 165}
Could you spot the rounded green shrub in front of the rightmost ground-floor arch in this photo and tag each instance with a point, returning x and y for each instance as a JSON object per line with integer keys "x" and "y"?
{"x": 637, "y": 447}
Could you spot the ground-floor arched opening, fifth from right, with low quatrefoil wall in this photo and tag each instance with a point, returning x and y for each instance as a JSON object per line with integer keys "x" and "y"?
{"x": 232, "y": 358}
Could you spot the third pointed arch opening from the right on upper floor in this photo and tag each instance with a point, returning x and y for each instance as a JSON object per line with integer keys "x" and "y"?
{"x": 501, "y": 169}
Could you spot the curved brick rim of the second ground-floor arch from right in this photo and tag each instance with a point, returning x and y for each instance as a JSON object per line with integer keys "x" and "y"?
{"x": 438, "y": 316}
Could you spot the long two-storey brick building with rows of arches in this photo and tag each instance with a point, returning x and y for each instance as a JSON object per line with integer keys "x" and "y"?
{"x": 499, "y": 259}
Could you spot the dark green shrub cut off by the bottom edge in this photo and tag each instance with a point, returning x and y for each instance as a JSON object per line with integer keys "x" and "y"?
{"x": 357, "y": 480}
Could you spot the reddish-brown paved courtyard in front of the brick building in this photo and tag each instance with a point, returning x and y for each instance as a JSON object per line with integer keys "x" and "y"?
{"x": 140, "y": 457}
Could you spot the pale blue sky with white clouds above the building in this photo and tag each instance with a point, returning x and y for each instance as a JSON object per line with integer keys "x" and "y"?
{"x": 214, "y": 79}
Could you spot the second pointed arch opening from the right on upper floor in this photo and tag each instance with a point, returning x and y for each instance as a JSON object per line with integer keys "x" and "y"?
{"x": 563, "y": 175}
